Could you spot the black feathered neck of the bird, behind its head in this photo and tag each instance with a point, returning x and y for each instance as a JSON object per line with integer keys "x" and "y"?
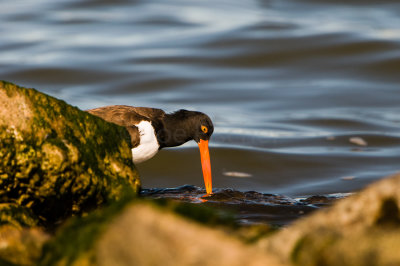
{"x": 175, "y": 131}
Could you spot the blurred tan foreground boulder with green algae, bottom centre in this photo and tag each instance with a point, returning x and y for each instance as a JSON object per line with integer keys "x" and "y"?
{"x": 141, "y": 233}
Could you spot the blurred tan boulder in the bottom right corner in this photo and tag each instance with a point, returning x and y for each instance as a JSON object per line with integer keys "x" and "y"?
{"x": 363, "y": 229}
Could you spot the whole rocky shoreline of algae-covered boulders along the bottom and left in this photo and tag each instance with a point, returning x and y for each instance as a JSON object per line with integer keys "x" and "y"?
{"x": 69, "y": 196}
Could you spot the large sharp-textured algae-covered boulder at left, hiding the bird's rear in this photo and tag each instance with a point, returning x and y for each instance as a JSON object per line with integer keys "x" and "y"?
{"x": 58, "y": 160}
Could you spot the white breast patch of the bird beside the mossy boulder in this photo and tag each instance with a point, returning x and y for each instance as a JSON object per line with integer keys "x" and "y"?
{"x": 148, "y": 145}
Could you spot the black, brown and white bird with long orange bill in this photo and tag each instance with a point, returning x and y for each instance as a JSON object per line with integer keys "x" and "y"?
{"x": 152, "y": 129}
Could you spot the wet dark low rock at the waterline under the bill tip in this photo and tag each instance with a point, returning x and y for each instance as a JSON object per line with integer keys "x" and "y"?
{"x": 248, "y": 207}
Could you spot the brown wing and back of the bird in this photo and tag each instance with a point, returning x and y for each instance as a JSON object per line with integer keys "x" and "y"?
{"x": 129, "y": 117}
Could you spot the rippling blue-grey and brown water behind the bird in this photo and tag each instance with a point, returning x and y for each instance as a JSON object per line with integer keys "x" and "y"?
{"x": 287, "y": 83}
